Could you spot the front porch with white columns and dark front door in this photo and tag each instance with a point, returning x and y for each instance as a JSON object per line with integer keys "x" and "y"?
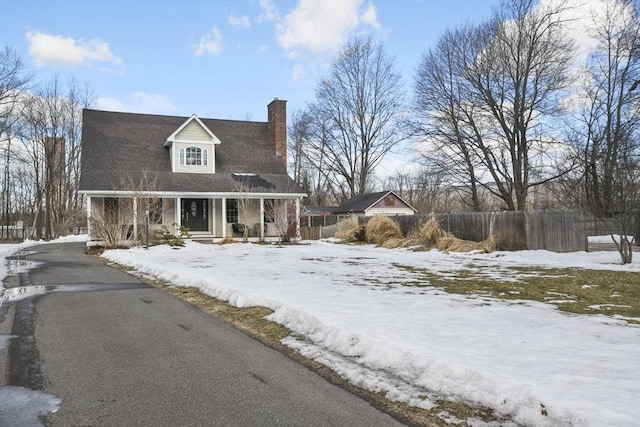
{"x": 250, "y": 217}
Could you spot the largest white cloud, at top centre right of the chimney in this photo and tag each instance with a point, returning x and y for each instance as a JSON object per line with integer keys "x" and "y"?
{"x": 321, "y": 27}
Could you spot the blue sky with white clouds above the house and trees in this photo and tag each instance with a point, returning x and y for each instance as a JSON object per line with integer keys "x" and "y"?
{"x": 216, "y": 58}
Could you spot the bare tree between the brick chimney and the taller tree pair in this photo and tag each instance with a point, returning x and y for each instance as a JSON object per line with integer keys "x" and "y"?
{"x": 357, "y": 113}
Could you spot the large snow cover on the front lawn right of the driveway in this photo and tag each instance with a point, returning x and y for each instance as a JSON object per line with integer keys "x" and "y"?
{"x": 357, "y": 310}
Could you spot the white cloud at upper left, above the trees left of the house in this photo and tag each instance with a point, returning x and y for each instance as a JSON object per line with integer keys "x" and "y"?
{"x": 61, "y": 51}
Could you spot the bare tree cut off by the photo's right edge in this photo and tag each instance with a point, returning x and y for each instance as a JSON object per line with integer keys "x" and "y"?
{"x": 608, "y": 135}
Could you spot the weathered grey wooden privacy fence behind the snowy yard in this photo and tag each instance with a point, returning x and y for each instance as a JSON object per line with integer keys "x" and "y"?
{"x": 553, "y": 230}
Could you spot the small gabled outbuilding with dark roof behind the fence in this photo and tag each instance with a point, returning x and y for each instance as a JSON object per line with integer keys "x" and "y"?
{"x": 381, "y": 203}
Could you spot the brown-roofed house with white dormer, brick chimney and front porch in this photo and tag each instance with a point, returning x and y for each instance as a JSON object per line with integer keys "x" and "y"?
{"x": 214, "y": 177}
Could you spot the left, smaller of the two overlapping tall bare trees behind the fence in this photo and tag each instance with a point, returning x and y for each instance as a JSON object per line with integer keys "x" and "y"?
{"x": 445, "y": 117}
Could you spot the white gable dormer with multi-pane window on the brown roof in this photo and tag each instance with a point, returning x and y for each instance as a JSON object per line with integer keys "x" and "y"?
{"x": 192, "y": 147}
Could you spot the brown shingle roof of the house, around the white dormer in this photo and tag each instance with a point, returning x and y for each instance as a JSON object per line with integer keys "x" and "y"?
{"x": 121, "y": 148}
